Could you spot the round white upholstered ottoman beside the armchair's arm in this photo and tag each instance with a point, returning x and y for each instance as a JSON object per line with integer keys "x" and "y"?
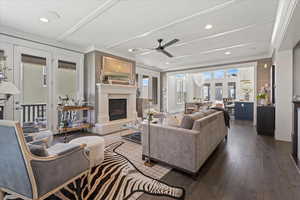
{"x": 95, "y": 148}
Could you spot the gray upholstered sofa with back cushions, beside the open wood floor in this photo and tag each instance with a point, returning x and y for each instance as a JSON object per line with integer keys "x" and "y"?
{"x": 186, "y": 147}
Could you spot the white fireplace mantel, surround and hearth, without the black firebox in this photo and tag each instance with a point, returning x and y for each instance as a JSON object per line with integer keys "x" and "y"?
{"x": 113, "y": 91}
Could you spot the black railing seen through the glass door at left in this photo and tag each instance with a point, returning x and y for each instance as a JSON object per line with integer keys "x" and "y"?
{"x": 32, "y": 112}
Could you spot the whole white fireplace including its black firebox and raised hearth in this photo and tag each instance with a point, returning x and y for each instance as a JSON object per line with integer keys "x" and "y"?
{"x": 112, "y": 100}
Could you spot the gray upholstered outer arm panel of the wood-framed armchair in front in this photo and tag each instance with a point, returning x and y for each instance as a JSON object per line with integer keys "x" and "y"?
{"x": 54, "y": 171}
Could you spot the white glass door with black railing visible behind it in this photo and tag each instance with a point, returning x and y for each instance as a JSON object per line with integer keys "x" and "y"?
{"x": 33, "y": 75}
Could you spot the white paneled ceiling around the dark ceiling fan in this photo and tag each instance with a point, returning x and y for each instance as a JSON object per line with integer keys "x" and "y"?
{"x": 243, "y": 27}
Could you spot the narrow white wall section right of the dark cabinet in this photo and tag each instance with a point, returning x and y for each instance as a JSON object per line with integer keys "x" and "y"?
{"x": 284, "y": 93}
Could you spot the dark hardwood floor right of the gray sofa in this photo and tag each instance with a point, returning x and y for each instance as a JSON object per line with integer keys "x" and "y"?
{"x": 246, "y": 167}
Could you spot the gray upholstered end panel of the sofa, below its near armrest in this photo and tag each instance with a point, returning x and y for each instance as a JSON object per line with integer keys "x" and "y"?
{"x": 175, "y": 146}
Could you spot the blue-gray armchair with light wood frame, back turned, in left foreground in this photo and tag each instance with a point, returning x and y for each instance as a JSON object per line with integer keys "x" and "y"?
{"x": 32, "y": 177}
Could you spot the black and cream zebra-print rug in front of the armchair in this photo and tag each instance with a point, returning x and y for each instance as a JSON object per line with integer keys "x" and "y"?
{"x": 115, "y": 179}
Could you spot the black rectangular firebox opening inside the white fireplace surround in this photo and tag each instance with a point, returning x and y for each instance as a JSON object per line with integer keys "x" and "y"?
{"x": 117, "y": 109}
